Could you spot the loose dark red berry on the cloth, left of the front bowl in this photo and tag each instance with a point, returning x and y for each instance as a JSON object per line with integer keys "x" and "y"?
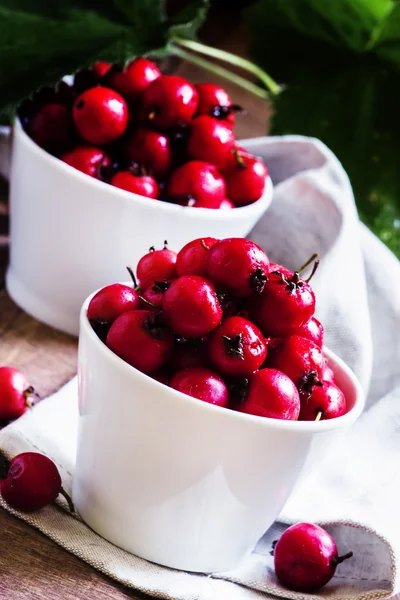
{"x": 32, "y": 482}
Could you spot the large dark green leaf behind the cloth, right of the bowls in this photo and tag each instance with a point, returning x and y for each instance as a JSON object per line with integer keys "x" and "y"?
{"x": 347, "y": 99}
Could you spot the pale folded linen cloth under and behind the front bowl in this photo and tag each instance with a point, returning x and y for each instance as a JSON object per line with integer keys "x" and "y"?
{"x": 352, "y": 492}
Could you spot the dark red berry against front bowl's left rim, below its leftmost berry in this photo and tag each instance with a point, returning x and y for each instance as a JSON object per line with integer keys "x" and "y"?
{"x": 138, "y": 338}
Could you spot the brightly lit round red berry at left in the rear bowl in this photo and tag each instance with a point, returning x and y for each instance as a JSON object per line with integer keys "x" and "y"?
{"x": 100, "y": 115}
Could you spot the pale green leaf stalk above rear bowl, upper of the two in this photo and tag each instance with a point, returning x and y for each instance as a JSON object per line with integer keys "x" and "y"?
{"x": 271, "y": 85}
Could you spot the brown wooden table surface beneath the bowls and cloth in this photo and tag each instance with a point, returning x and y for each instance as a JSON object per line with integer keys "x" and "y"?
{"x": 32, "y": 566}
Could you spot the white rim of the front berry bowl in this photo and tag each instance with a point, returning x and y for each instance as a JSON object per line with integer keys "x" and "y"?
{"x": 304, "y": 427}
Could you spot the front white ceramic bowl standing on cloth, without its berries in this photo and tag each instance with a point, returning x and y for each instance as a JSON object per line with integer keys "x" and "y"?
{"x": 178, "y": 481}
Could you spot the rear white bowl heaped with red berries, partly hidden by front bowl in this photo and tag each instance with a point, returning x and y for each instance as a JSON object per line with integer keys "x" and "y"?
{"x": 116, "y": 158}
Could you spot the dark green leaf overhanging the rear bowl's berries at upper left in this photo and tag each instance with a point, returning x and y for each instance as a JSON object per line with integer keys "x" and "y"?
{"x": 40, "y": 44}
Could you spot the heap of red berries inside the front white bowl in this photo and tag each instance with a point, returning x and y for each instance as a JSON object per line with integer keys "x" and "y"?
{"x": 218, "y": 321}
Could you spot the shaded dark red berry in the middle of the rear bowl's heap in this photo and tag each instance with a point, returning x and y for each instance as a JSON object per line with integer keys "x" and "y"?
{"x": 151, "y": 150}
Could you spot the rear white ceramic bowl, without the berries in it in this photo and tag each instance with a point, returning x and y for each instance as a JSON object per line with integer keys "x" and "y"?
{"x": 81, "y": 233}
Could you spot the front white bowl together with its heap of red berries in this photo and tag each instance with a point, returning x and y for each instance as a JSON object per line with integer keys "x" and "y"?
{"x": 195, "y": 424}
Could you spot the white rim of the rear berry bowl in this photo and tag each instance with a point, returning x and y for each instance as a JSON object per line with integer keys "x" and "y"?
{"x": 241, "y": 212}
